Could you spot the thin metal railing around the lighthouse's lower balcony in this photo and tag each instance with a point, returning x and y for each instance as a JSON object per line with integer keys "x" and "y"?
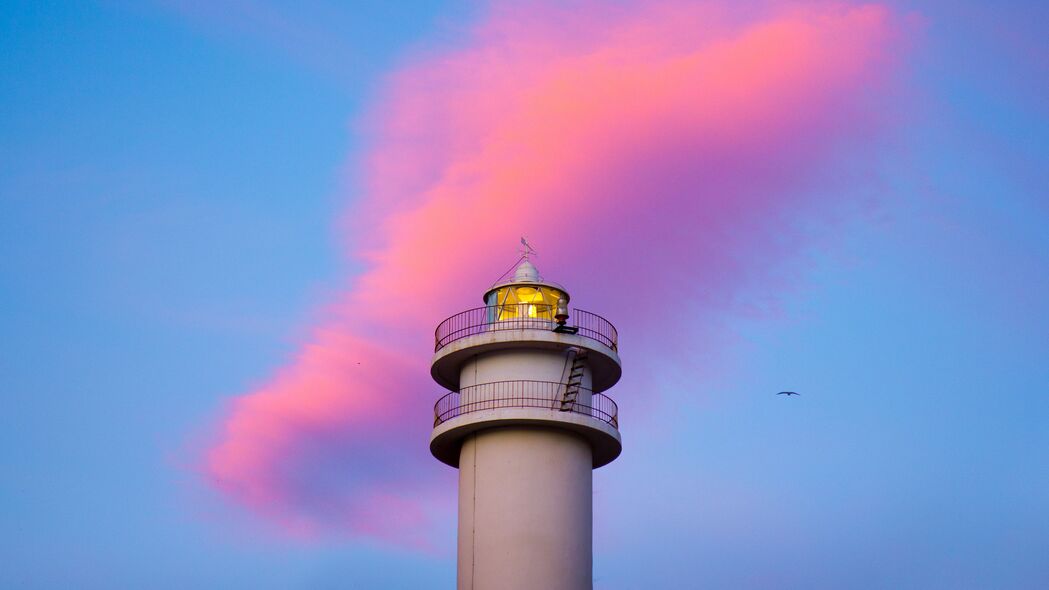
{"x": 545, "y": 395}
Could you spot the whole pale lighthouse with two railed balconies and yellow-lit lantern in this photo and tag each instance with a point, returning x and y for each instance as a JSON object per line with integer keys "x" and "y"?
{"x": 526, "y": 423}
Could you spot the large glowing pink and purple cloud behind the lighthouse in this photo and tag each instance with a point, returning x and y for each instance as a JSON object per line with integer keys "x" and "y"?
{"x": 660, "y": 143}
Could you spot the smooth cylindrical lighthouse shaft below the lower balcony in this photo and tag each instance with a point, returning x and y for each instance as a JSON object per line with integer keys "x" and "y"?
{"x": 526, "y": 511}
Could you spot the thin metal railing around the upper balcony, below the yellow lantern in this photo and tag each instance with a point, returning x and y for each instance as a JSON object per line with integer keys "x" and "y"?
{"x": 523, "y": 317}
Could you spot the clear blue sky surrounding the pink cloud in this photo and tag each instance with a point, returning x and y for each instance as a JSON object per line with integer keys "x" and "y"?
{"x": 172, "y": 184}
